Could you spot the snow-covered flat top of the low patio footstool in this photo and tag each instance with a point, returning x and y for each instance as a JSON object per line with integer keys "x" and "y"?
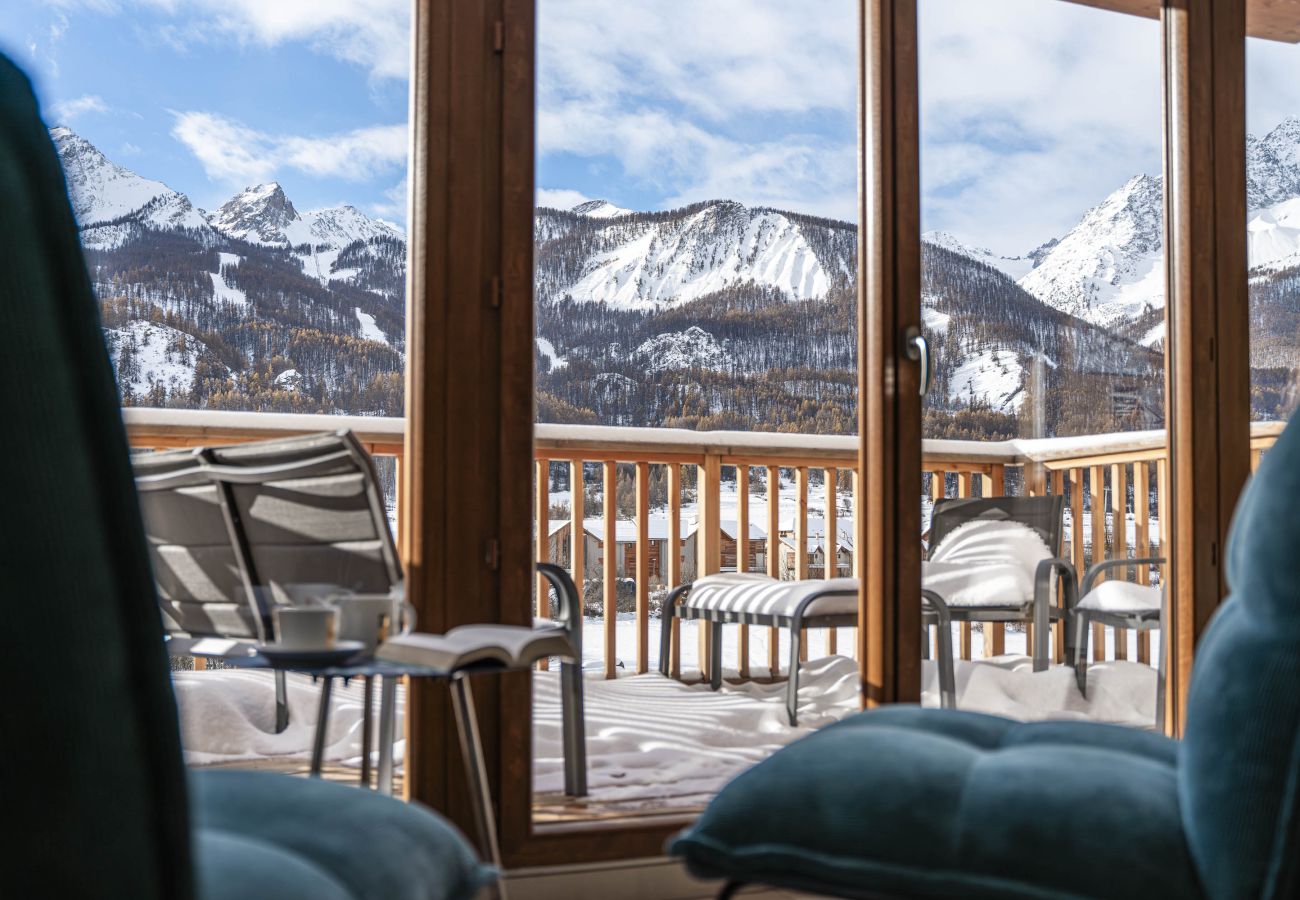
{"x": 744, "y": 592}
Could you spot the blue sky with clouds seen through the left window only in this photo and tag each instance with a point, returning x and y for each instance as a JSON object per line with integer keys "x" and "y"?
{"x": 214, "y": 97}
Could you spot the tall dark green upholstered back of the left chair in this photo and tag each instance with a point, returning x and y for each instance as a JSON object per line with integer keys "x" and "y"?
{"x": 92, "y": 782}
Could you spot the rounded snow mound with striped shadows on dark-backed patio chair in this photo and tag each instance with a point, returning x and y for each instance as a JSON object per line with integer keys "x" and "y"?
{"x": 986, "y": 564}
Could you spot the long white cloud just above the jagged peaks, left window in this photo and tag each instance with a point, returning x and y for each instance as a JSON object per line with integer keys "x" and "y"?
{"x": 233, "y": 153}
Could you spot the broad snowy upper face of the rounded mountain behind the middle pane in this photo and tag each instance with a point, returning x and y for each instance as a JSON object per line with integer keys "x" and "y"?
{"x": 653, "y": 261}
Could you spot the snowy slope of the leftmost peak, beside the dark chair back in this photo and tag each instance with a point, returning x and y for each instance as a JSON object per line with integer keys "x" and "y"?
{"x": 103, "y": 192}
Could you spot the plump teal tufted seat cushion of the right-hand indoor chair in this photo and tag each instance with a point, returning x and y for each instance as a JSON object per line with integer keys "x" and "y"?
{"x": 926, "y": 803}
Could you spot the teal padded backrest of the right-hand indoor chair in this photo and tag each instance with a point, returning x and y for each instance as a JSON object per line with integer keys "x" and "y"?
{"x": 1240, "y": 764}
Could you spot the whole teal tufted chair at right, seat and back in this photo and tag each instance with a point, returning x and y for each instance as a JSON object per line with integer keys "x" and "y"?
{"x": 924, "y": 803}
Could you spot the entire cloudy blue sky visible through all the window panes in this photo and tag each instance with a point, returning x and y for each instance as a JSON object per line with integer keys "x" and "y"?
{"x": 1032, "y": 111}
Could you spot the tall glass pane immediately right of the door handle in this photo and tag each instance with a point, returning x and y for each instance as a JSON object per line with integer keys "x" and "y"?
{"x": 1043, "y": 304}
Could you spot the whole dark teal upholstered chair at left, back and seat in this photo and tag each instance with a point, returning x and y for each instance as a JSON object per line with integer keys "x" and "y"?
{"x": 97, "y": 799}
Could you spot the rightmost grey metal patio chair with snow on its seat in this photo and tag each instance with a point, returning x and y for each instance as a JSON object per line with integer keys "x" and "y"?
{"x": 1120, "y": 604}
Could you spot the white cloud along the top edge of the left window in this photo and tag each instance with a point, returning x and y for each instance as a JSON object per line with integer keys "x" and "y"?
{"x": 375, "y": 34}
